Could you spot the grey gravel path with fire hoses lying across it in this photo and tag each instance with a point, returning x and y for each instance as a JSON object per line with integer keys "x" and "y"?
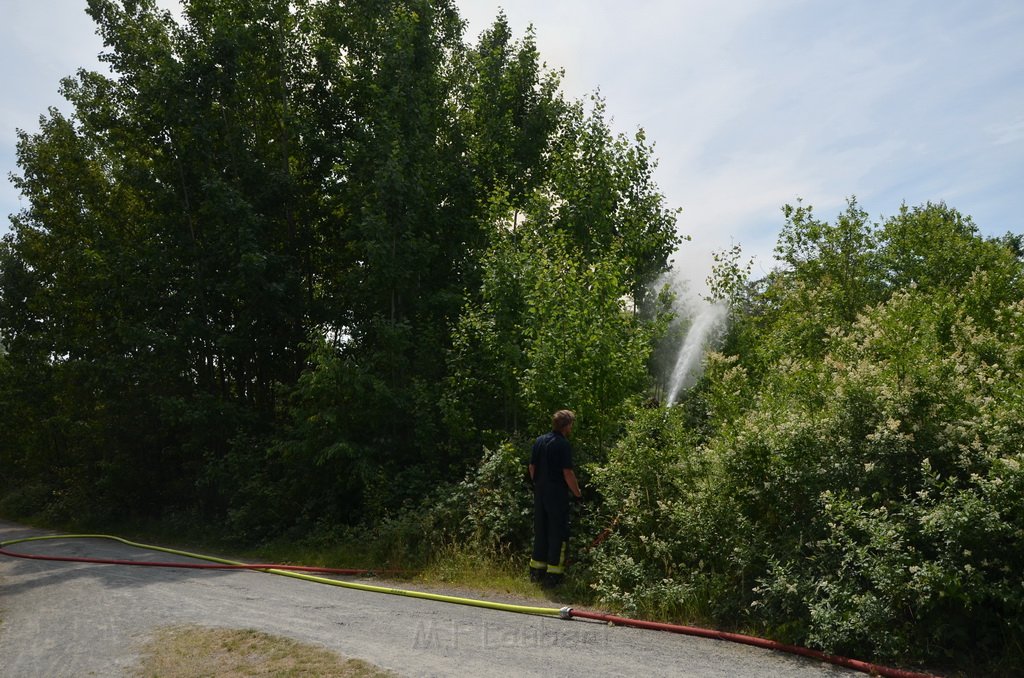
{"x": 60, "y": 619}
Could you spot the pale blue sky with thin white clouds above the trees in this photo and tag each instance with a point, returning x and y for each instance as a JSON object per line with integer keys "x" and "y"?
{"x": 751, "y": 104}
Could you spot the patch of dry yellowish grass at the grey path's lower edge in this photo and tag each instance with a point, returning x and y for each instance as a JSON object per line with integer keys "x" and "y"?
{"x": 192, "y": 652}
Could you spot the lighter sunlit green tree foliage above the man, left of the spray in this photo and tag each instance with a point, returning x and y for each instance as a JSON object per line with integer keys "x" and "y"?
{"x": 552, "y": 332}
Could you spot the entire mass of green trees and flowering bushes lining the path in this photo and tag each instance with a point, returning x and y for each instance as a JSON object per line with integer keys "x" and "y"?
{"x": 292, "y": 266}
